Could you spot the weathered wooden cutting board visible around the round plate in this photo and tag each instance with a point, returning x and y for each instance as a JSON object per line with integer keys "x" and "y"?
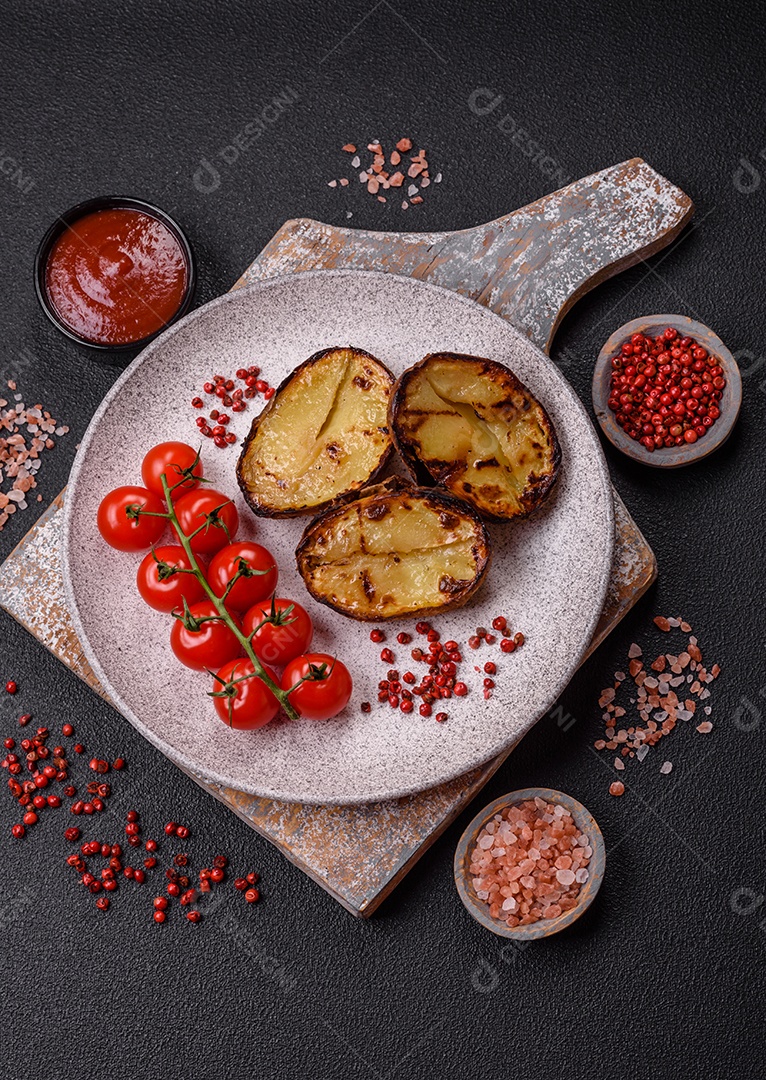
{"x": 530, "y": 267}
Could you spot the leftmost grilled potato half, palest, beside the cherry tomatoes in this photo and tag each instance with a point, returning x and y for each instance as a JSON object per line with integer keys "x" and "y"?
{"x": 322, "y": 438}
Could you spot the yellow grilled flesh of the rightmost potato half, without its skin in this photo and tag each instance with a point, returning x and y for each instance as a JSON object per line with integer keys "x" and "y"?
{"x": 460, "y": 422}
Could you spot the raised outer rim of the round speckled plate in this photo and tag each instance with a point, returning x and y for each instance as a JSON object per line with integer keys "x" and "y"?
{"x": 259, "y": 790}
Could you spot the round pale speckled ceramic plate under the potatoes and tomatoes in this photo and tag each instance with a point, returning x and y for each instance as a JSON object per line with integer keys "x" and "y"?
{"x": 549, "y": 574}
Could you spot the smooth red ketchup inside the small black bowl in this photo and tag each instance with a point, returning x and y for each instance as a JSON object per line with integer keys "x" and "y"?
{"x": 116, "y": 277}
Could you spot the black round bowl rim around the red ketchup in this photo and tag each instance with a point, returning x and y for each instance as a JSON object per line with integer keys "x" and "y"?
{"x": 111, "y": 202}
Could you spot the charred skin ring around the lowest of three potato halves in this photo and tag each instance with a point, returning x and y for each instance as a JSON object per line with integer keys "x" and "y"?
{"x": 383, "y": 494}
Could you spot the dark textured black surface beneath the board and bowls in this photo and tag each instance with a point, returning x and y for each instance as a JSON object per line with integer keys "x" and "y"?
{"x": 665, "y": 975}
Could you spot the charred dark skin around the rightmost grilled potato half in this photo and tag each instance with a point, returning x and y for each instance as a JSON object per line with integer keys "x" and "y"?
{"x": 440, "y": 471}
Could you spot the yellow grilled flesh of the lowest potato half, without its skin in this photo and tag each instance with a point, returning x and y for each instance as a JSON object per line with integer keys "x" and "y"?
{"x": 395, "y": 564}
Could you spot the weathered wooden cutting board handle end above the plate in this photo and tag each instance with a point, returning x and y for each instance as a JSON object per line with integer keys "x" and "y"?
{"x": 530, "y": 266}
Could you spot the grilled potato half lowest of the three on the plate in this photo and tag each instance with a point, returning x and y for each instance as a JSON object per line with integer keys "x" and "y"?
{"x": 394, "y": 553}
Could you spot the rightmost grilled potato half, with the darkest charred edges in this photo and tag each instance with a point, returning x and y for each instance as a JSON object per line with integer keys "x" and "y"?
{"x": 471, "y": 425}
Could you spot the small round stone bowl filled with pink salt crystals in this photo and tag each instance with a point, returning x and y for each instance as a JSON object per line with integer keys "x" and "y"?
{"x": 530, "y": 865}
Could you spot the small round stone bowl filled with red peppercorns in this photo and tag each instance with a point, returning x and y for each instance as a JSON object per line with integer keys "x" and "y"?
{"x": 667, "y": 391}
